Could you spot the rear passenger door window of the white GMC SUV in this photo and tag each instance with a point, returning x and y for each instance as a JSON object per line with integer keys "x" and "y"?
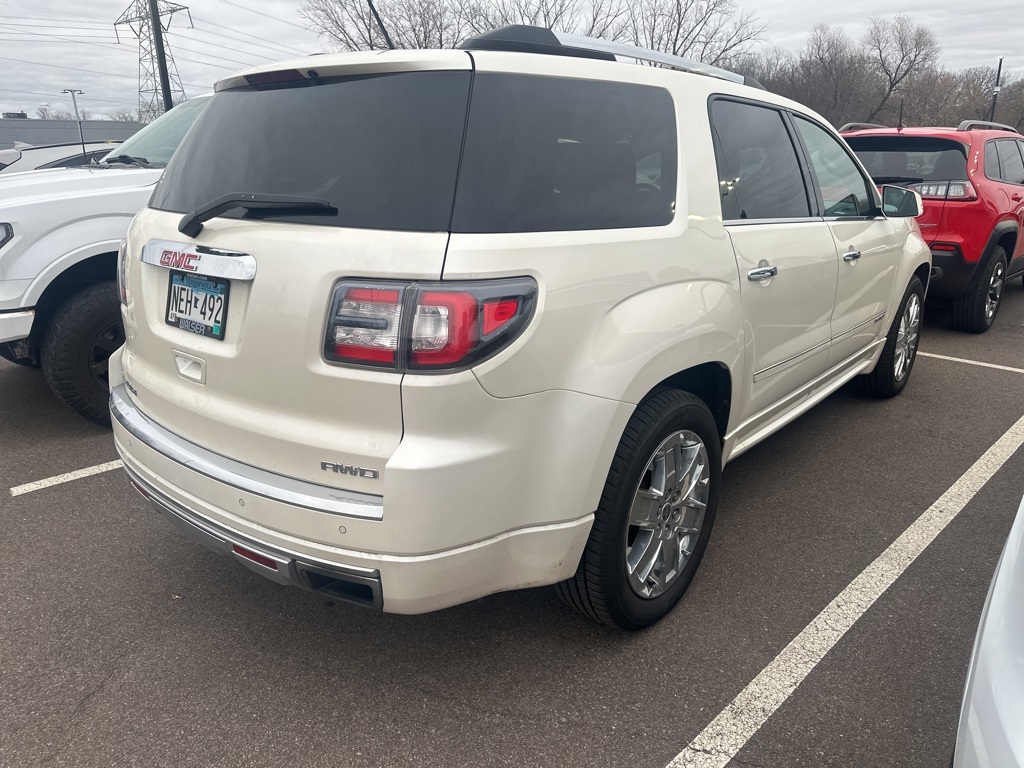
{"x": 759, "y": 176}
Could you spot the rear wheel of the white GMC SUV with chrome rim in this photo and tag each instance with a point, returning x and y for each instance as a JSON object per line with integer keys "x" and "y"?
{"x": 655, "y": 518}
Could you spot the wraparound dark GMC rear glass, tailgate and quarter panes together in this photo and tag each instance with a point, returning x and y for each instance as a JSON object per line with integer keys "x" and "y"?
{"x": 541, "y": 154}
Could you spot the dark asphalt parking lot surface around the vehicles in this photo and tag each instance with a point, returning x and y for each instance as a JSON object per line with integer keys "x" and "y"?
{"x": 123, "y": 644}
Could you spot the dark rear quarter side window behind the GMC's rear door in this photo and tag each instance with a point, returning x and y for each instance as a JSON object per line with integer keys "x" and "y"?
{"x": 557, "y": 154}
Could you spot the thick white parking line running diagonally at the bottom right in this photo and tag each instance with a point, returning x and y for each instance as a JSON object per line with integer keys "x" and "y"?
{"x": 728, "y": 734}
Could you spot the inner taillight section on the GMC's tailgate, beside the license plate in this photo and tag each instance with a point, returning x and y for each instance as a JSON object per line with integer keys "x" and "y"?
{"x": 365, "y": 325}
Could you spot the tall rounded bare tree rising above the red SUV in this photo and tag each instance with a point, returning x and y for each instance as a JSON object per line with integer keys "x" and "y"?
{"x": 900, "y": 50}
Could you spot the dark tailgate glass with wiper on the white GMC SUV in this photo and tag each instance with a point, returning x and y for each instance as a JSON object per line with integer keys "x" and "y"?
{"x": 382, "y": 149}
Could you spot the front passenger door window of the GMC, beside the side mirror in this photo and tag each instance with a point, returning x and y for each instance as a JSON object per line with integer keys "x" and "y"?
{"x": 844, "y": 190}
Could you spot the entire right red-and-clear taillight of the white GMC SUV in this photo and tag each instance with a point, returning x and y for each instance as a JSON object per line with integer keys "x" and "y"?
{"x": 425, "y": 326}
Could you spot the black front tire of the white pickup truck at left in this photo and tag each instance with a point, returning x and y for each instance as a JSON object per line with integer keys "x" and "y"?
{"x": 83, "y": 334}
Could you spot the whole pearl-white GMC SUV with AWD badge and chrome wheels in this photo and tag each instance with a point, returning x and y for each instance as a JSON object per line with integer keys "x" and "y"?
{"x": 497, "y": 317}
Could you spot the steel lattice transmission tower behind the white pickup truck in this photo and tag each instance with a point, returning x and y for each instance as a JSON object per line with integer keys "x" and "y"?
{"x": 159, "y": 82}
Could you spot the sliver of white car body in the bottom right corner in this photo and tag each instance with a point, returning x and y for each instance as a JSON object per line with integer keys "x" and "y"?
{"x": 991, "y": 734}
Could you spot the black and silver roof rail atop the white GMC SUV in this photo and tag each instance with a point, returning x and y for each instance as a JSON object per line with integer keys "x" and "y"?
{"x": 526, "y": 39}
